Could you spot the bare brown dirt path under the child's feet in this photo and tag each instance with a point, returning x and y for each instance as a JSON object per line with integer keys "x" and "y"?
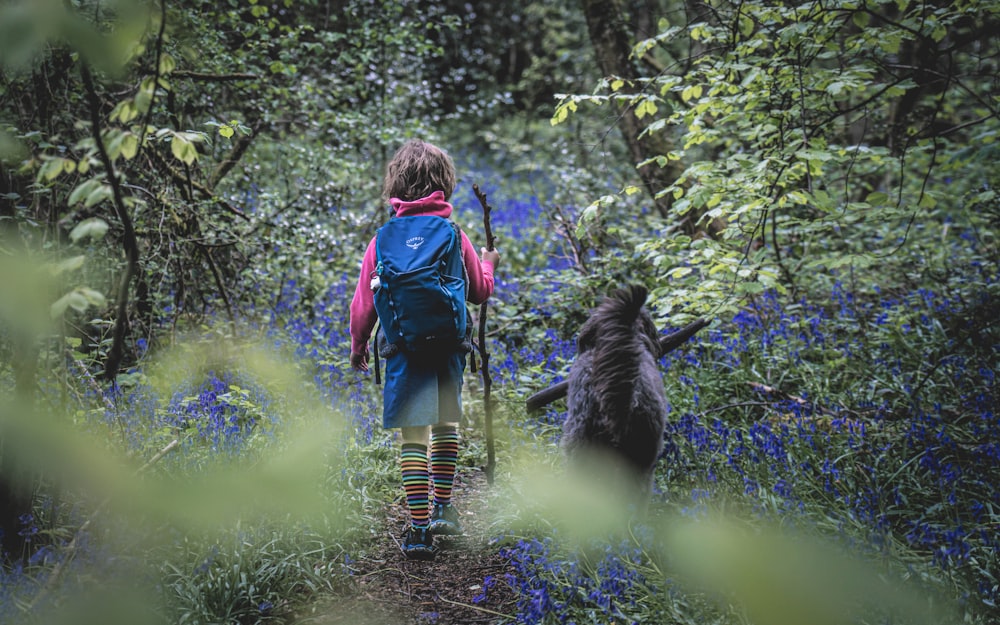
{"x": 387, "y": 588}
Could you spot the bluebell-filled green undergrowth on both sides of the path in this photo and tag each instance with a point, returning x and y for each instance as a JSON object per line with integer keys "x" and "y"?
{"x": 859, "y": 412}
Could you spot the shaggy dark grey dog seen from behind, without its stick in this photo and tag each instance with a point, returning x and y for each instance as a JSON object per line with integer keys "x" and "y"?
{"x": 616, "y": 402}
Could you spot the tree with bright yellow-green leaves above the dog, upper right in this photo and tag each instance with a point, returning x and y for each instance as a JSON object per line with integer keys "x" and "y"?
{"x": 816, "y": 133}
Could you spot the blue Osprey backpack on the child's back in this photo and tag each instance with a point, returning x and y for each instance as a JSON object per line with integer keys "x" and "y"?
{"x": 420, "y": 290}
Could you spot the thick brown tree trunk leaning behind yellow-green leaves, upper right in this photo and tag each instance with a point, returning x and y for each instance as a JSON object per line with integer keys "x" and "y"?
{"x": 612, "y": 46}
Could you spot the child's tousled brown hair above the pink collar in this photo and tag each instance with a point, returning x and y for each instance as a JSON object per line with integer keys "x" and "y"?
{"x": 417, "y": 170}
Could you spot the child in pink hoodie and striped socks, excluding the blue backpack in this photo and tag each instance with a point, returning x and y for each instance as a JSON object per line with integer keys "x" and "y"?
{"x": 422, "y": 393}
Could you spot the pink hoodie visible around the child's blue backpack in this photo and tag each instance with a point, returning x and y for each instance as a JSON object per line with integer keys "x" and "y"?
{"x": 363, "y": 315}
